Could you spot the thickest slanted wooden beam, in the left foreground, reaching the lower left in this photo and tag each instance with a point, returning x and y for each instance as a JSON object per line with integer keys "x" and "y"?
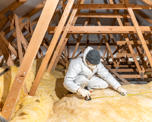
{"x": 32, "y": 49}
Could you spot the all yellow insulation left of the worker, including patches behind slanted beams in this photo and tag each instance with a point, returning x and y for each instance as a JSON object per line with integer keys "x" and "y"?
{"x": 29, "y": 108}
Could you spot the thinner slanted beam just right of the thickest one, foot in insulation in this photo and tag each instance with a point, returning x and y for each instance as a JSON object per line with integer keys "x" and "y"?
{"x": 52, "y": 45}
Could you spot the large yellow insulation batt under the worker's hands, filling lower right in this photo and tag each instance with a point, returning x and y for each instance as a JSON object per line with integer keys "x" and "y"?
{"x": 107, "y": 106}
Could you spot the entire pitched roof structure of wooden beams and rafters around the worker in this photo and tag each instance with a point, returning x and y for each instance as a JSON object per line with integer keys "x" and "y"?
{"x": 121, "y": 29}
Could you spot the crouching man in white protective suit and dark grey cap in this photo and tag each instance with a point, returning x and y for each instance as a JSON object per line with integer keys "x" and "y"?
{"x": 87, "y": 72}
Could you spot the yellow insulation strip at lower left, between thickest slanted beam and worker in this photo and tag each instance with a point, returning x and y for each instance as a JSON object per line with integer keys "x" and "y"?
{"x": 37, "y": 108}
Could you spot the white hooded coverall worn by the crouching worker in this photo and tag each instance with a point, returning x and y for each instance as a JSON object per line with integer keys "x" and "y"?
{"x": 80, "y": 75}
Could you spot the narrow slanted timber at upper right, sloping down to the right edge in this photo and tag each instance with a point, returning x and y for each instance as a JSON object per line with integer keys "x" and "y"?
{"x": 140, "y": 35}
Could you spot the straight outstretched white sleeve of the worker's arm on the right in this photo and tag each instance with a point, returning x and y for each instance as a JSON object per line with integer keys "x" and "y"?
{"x": 107, "y": 76}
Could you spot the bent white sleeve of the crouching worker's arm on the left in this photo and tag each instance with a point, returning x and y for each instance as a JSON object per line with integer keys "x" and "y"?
{"x": 73, "y": 71}
